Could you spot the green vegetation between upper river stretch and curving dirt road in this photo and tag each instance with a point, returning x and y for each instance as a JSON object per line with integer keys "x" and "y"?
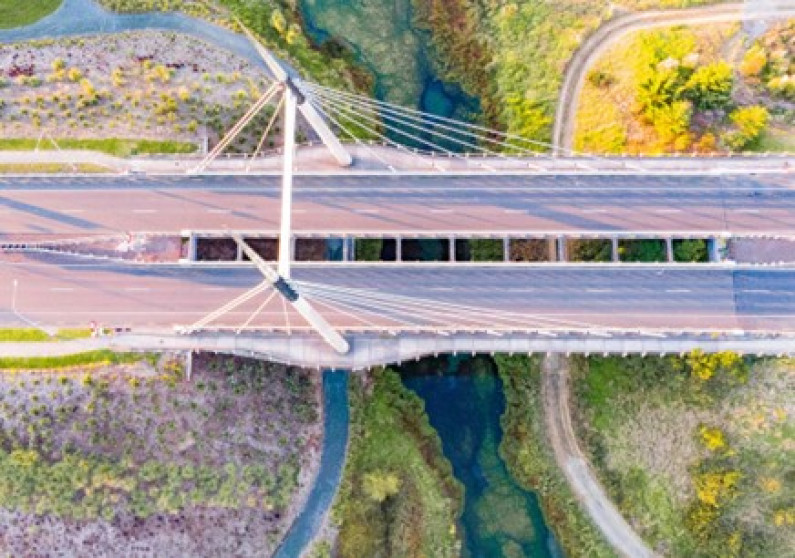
{"x": 512, "y": 55}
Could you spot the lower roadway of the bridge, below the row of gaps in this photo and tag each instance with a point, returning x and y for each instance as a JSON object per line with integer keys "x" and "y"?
{"x": 56, "y": 293}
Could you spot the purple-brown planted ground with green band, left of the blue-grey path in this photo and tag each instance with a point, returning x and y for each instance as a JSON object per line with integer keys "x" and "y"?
{"x": 128, "y": 448}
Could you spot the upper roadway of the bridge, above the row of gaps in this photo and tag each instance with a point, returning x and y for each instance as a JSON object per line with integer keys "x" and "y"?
{"x": 742, "y": 204}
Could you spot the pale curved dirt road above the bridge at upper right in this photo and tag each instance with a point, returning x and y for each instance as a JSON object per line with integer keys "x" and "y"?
{"x": 613, "y": 30}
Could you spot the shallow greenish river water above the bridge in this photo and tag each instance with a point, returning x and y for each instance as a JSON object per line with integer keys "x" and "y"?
{"x": 382, "y": 35}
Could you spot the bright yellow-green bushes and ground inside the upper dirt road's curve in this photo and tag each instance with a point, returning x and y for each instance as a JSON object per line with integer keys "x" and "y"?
{"x": 691, "y": 90}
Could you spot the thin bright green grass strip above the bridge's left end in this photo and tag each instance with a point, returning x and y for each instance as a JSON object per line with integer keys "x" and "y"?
{"x": 112, "y": 146}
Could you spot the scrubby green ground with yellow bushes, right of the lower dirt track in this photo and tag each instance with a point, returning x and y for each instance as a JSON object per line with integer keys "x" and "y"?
{"x": 695, "y": 451}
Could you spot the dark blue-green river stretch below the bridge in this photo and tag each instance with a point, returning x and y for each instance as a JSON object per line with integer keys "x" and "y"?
{"x": 464, "y": 401}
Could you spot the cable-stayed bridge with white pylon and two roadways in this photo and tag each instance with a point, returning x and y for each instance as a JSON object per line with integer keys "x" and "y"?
{"x": 356, "y": 314}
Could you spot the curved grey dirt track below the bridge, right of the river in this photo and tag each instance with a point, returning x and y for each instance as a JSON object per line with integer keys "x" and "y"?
{"x": 555, "y": 392}
